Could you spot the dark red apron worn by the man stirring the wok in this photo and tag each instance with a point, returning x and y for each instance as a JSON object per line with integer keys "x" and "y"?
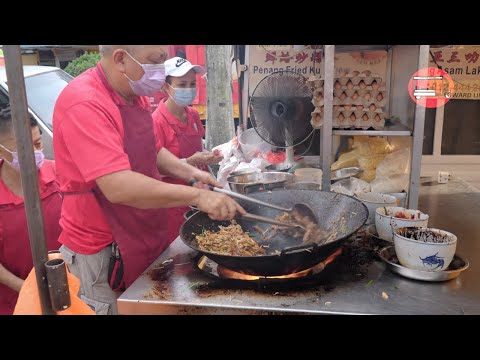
{"x": 141, "y": 234}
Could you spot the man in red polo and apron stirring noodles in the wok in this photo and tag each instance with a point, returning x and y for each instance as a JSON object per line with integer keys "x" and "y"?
{"x": 114, "y": 209}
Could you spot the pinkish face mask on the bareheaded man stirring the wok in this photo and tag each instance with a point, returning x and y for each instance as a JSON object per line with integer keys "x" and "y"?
{"x": 152, "y": 80}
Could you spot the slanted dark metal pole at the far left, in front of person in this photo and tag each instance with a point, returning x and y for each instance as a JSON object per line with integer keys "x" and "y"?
{"x": 28, "y": 170}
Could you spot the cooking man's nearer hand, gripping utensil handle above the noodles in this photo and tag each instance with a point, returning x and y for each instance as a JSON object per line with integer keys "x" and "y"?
{"x": 218, "y": 206}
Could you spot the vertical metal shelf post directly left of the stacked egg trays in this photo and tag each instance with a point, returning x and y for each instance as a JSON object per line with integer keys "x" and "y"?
{"x": 326, "y": 143}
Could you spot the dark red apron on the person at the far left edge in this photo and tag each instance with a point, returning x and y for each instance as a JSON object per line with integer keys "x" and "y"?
{"x": 15, "y": 253}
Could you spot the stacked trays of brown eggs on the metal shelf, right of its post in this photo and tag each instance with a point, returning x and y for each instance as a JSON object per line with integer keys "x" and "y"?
{"x": 358, "y": 101}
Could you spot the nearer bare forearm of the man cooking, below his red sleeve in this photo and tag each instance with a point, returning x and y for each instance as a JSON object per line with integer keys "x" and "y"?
{"x": 140, "y": 191}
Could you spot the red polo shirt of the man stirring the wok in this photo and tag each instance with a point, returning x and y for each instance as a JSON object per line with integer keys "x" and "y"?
{"x": 88, "y": 144}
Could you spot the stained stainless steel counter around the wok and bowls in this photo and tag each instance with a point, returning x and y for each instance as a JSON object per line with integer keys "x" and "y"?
{"x": 454, "y": 207}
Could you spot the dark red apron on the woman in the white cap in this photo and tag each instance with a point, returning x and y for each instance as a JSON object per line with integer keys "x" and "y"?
{"x": 188, "y": 145}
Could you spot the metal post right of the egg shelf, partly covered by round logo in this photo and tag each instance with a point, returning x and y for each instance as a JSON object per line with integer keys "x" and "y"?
{"x": 418, "y": 129}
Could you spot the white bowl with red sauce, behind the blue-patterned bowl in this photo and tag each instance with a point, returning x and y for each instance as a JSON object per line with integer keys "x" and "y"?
{"x": 387, "y": 219}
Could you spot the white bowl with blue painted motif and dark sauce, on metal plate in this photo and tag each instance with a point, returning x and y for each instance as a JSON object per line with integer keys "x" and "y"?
{"x": 425, "y": 249}
